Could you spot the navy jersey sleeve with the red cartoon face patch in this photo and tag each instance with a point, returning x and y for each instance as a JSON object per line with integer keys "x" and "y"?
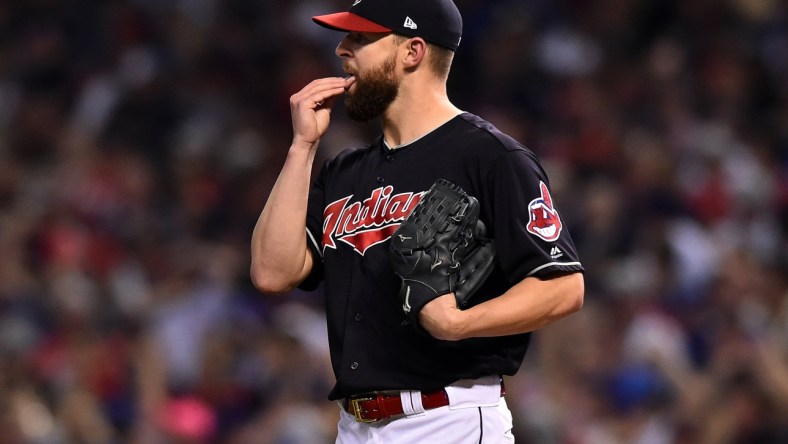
{"x": 530, "y": 236}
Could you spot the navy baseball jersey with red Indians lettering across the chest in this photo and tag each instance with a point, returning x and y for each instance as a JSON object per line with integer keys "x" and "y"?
{"x": 357, "y": 202}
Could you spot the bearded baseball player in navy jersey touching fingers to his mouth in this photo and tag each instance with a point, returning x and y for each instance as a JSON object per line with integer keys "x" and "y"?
{"x": 432, "y": 373}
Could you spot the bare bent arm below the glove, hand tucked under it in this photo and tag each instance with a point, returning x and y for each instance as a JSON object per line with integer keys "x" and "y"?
{"x": 529, "y": 305}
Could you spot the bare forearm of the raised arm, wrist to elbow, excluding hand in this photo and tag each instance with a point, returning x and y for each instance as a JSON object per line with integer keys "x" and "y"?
{"x": 280, "y": 258}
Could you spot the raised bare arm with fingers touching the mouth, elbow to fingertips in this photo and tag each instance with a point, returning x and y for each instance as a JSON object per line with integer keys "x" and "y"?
{"x": 280, "y": 256}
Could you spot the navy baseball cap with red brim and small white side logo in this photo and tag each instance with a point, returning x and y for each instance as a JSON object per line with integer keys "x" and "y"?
{"x": 436, "y": 21}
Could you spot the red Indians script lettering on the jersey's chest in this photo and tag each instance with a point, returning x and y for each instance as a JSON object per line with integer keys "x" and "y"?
{"x": 364, "y": 224}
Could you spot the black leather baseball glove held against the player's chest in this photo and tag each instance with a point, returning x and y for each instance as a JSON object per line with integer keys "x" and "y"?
{"x": 440, "y": 248}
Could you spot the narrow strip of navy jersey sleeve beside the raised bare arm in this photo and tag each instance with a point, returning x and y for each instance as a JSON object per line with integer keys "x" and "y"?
{"x": 314, "y": 232}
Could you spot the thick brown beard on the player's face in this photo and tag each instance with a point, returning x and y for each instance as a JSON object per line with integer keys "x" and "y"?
{"x": 373, "y": 92}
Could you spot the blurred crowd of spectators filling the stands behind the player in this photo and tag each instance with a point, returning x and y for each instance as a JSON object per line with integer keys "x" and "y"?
{"x": 139, "y": 140}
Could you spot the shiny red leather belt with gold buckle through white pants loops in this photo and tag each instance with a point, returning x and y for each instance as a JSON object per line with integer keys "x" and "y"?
{"x": 376, "y": 407}
